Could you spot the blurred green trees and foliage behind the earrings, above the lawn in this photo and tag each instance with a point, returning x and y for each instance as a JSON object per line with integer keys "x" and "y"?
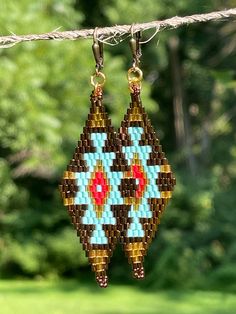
{"x": 44, "y": 101}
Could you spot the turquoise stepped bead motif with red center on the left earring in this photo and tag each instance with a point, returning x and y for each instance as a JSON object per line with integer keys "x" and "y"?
{"x": 98, "y": 189}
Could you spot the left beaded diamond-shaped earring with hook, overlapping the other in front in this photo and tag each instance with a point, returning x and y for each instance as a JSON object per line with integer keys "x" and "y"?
{"x": 89, "y": 187}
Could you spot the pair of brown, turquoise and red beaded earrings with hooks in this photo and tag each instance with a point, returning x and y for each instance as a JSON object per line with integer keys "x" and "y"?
{"x": 117, "y": 184}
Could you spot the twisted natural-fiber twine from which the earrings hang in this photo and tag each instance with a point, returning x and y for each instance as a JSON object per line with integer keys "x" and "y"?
{"x": 115, "y": 33}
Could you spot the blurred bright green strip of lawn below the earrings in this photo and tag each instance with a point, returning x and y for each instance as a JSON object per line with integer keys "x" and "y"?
{"x": 23, "y": 297}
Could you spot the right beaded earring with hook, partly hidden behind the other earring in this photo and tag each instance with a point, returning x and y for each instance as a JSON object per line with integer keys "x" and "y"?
{"x": 148, "y": 181}
